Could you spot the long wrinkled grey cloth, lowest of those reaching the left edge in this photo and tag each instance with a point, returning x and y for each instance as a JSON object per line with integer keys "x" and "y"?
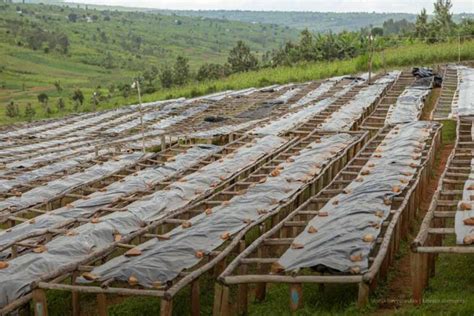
{"x": 16, "y": 279}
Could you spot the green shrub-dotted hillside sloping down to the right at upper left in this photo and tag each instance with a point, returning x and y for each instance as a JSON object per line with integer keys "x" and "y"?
{"x": 41, "y": 45}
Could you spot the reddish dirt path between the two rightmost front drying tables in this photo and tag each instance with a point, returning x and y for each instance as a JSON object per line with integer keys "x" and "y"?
{"x": 398, "y": 291}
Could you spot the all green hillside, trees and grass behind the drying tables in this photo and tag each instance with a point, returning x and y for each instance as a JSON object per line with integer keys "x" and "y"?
{"x": 63, "y": 60}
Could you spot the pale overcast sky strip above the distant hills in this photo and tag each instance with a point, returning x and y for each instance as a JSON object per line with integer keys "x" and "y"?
{"x": 410, "y": 6}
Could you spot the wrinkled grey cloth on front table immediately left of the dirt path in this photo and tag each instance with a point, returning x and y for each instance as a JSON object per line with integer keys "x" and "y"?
{"x": 342, "y": 241}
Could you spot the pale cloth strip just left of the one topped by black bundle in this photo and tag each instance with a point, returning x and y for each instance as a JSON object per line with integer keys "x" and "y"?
{"x": 344, "y": 118}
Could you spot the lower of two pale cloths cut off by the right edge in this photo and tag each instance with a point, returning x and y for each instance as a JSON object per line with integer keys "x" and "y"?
{"x": 464, "y": 218}
